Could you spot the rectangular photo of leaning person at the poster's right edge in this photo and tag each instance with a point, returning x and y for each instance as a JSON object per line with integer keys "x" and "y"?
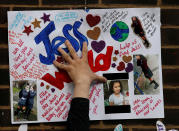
{"x": 146, "y": 74}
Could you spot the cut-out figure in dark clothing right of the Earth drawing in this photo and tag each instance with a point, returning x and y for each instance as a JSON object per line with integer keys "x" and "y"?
{"x": 138, "y": 30}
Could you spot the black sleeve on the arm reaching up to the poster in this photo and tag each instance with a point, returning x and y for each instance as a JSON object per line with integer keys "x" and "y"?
{"x": 78, "y": 116}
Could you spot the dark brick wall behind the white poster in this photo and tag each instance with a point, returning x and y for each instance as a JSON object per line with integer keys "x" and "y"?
{"x": 170, "y": 62}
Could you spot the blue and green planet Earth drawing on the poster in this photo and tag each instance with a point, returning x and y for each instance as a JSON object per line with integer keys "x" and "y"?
{"x": 119, "y": 31}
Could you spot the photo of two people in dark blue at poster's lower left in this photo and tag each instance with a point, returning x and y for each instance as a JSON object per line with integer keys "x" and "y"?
{"x": 24, "y": 100}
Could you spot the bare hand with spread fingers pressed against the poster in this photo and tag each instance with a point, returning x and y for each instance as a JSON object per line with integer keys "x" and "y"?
{"x": 78, "y": 68}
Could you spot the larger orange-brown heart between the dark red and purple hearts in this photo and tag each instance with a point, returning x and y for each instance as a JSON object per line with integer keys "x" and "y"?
{"x": 94, "y": 34}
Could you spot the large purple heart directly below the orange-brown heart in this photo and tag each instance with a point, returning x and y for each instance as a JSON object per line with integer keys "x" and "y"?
{"x": 98, "y": 46}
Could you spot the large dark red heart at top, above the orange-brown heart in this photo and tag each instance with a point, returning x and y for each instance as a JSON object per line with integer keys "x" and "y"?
{"x": 92, "y": 20}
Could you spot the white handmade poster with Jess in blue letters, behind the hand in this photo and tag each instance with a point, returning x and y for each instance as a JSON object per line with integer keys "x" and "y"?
{"x": 124, "y": 46}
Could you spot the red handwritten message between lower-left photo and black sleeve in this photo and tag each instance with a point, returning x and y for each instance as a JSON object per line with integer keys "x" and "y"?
{"x": 54, "y": 106}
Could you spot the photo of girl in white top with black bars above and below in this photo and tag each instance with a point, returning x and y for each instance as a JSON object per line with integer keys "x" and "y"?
{"x": 116, "y": 93}
